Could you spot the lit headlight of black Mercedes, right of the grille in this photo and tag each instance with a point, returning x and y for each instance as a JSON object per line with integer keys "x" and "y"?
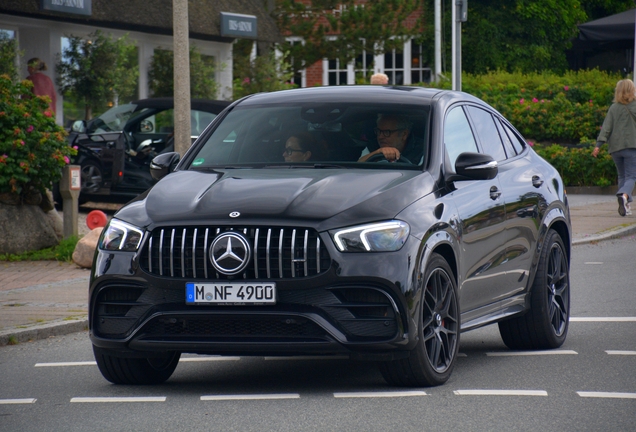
{"x": 378, "y": 237}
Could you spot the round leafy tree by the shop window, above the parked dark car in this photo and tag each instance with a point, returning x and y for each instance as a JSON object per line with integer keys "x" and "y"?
{"x": 97, "y": 70}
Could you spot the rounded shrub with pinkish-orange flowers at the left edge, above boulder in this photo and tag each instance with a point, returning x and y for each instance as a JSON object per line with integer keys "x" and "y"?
{"x": 33, "y": 149}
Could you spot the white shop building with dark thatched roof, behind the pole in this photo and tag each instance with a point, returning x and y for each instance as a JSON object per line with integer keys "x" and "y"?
{"x": 40, "y": 27}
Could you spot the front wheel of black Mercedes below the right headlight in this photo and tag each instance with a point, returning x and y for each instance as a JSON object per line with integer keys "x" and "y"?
{"x": 433, "y": 359}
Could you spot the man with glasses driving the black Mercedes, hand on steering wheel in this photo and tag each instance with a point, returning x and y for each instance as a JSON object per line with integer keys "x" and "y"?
{"x": 393, "y": 133}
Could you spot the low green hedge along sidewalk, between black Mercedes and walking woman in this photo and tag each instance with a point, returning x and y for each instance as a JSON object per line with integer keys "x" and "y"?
{"x": 577, "y": 166}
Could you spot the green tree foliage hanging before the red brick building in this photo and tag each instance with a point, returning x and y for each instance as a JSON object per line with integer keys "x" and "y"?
{"x": 375, "y": 26}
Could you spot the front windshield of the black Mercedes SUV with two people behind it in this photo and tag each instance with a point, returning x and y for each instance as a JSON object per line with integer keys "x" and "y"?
{"x": 322, "y": 134}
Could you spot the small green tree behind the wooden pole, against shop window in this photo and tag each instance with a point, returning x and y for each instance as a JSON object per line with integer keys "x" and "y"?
{"x": 202, "y": 70}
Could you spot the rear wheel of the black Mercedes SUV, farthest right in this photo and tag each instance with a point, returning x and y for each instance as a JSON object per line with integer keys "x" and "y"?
{"x": 545, "y": 325}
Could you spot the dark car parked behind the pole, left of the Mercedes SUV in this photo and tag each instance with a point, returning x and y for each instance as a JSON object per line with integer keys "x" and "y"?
{"x": 115, "y": 148}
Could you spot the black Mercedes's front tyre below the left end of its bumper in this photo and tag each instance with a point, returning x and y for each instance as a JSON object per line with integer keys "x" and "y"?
{"x": 120, "y": 370}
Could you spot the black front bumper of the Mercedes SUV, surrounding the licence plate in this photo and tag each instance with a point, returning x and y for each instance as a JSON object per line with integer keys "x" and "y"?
{"x": 364, "y": 305}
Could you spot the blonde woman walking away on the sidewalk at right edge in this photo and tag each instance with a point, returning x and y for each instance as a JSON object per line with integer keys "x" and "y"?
{"x": 619, "y": 132}
